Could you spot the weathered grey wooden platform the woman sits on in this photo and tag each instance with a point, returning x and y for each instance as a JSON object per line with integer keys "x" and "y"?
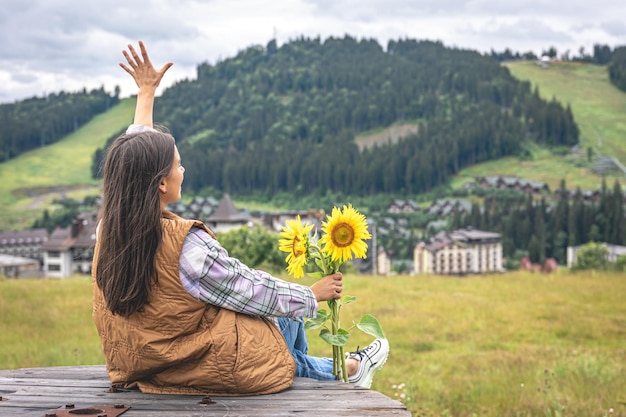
{"x": 46, "y": 391}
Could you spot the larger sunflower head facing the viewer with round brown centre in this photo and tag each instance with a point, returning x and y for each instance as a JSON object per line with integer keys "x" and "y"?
{"x": 344, "y": 234}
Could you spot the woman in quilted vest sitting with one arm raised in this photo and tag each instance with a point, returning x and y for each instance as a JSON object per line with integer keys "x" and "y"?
{"x": 175, "y": 313}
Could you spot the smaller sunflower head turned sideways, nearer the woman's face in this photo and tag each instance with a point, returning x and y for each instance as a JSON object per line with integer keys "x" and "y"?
{"x": 296, "y": 244}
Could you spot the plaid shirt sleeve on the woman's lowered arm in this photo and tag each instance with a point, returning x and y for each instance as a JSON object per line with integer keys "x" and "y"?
{"x": 209, "y": 274}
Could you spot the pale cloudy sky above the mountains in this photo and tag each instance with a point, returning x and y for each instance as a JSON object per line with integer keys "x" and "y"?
{"x": 47, "y": 46}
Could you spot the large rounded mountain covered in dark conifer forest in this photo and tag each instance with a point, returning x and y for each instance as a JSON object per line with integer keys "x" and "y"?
{"x": 285, "y": 118}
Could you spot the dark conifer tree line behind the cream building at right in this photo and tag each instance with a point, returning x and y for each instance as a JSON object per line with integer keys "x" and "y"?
{"x": 547, "y": 227}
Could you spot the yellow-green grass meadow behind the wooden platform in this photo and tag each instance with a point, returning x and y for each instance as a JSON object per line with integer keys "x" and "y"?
{"x": 516, "y": 344}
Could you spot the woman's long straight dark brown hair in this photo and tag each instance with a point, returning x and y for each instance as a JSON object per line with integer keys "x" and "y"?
{"x": 130, "y": 218}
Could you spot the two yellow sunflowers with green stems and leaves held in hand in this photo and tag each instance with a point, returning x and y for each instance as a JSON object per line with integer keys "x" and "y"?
{"x": 344, "y": 235}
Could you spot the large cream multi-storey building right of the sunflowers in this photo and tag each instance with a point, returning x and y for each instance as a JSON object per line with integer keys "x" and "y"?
{"x": 459, "y": 252}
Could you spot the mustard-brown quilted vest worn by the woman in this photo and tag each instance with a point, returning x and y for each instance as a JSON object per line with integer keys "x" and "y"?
{"x": 180, "y": 345}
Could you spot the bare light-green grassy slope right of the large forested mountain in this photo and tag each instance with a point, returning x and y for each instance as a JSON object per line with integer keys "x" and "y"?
{"x": 598, "y": 109}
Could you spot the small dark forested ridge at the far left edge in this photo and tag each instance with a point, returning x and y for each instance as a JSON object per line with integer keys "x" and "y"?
{"x": 37, "y": 122}
